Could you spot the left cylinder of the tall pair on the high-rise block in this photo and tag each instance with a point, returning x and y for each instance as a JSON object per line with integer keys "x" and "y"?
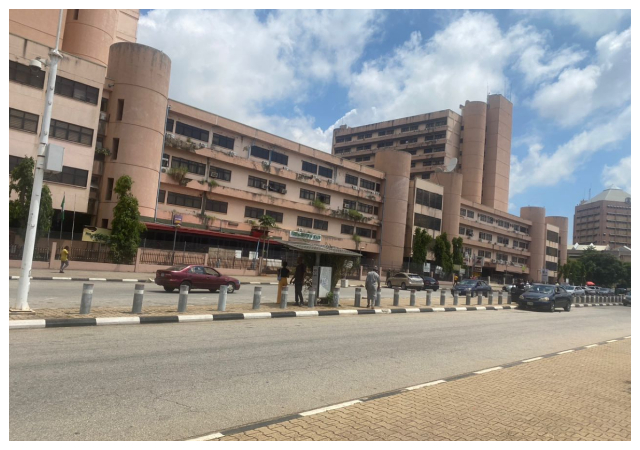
{"x": 474, "y": 120}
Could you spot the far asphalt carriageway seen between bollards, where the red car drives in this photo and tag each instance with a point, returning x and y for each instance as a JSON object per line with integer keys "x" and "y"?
{"x": 67, "y": 294}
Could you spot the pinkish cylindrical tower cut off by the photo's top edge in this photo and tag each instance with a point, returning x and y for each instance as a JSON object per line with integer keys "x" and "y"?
{"x": 90, "y": 32}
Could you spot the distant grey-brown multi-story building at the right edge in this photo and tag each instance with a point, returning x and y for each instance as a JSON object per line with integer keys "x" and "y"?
{"x": 604, "y": 220}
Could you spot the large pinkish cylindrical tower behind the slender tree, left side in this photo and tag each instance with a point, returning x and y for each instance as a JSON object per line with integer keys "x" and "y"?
{"x": 137, "y": 111}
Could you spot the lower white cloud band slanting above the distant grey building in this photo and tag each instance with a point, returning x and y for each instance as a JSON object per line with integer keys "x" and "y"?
{"x": 549, "y": 169}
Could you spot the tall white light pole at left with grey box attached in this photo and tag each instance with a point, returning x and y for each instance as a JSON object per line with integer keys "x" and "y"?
{"x": 20, "y": 303}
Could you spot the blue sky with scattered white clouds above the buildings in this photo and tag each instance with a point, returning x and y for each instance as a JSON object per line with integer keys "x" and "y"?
{"x": 301, "y": 73}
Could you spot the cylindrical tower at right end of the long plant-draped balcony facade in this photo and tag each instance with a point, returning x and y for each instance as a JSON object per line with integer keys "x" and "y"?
{"x": 396, "y": 165}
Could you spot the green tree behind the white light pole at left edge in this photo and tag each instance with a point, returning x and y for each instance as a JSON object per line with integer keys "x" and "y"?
{"x": 21, "y": 182}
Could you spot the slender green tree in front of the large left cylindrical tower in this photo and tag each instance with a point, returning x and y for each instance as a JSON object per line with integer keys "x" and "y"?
{"x": 126, "y": 226}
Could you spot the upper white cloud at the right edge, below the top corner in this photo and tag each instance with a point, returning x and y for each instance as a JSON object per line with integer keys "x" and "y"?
{"x": 606, "y": 84}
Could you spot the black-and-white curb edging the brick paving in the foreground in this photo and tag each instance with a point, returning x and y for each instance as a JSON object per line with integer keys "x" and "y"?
{"x": 281, "y": 419}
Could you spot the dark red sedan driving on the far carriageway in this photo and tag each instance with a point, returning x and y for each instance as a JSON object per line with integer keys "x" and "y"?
{"x": 196, "y": 277}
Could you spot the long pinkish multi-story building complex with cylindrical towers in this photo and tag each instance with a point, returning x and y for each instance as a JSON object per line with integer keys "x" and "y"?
{"x": 441, "y": 171}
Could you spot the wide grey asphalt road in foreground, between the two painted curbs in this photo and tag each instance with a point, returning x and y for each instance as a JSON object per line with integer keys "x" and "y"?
{"x": 174, "y": 381}
